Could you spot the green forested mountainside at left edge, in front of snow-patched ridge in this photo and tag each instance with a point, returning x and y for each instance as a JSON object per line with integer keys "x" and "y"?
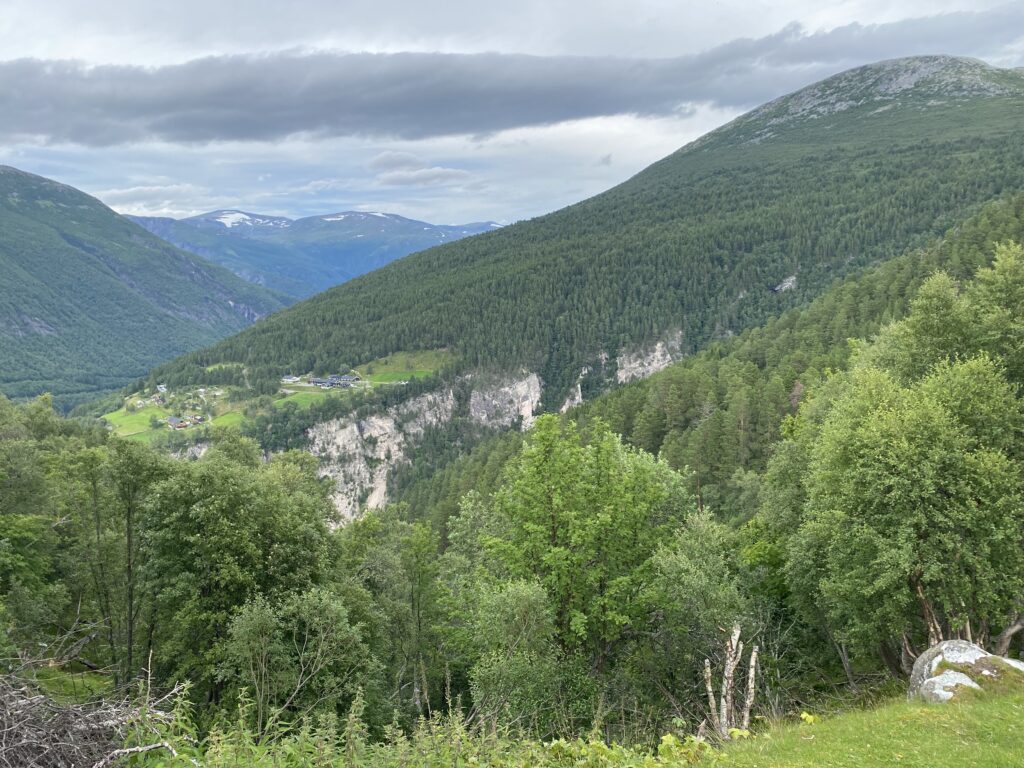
{"x": 91, "y": 301}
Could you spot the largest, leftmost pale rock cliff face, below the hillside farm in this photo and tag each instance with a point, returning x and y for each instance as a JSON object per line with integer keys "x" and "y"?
{"x": 360, "y": 454}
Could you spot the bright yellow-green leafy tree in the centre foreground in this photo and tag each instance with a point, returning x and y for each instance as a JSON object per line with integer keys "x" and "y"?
{"x": 586, "y": 514}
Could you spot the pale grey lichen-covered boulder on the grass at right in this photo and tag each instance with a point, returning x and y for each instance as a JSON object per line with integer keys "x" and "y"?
{"x": 948, "y": 668}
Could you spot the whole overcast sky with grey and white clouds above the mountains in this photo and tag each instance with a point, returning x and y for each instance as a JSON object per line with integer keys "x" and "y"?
{"x": 448, "y": 112}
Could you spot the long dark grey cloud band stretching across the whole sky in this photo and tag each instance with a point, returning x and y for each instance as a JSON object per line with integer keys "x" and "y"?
{"x": 420, "y": 96}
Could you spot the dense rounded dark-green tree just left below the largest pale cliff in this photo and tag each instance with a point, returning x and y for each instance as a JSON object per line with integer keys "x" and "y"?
{"x": 221, "y": 532}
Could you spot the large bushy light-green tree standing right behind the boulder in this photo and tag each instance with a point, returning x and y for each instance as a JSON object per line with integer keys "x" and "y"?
{"x": 912, "y": 529}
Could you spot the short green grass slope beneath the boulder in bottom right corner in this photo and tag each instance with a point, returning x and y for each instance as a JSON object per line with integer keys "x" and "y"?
{"x": 983, "y": 732}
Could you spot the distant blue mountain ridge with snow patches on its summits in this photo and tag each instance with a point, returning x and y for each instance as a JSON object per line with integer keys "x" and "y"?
{"x": 306, "y": 255}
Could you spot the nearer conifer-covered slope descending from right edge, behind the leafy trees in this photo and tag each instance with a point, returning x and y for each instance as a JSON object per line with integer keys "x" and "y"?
{"x": 719, "y": 413}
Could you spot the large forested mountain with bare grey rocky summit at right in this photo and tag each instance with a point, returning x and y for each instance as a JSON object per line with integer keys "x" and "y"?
{"x": 754, "y": 219}
